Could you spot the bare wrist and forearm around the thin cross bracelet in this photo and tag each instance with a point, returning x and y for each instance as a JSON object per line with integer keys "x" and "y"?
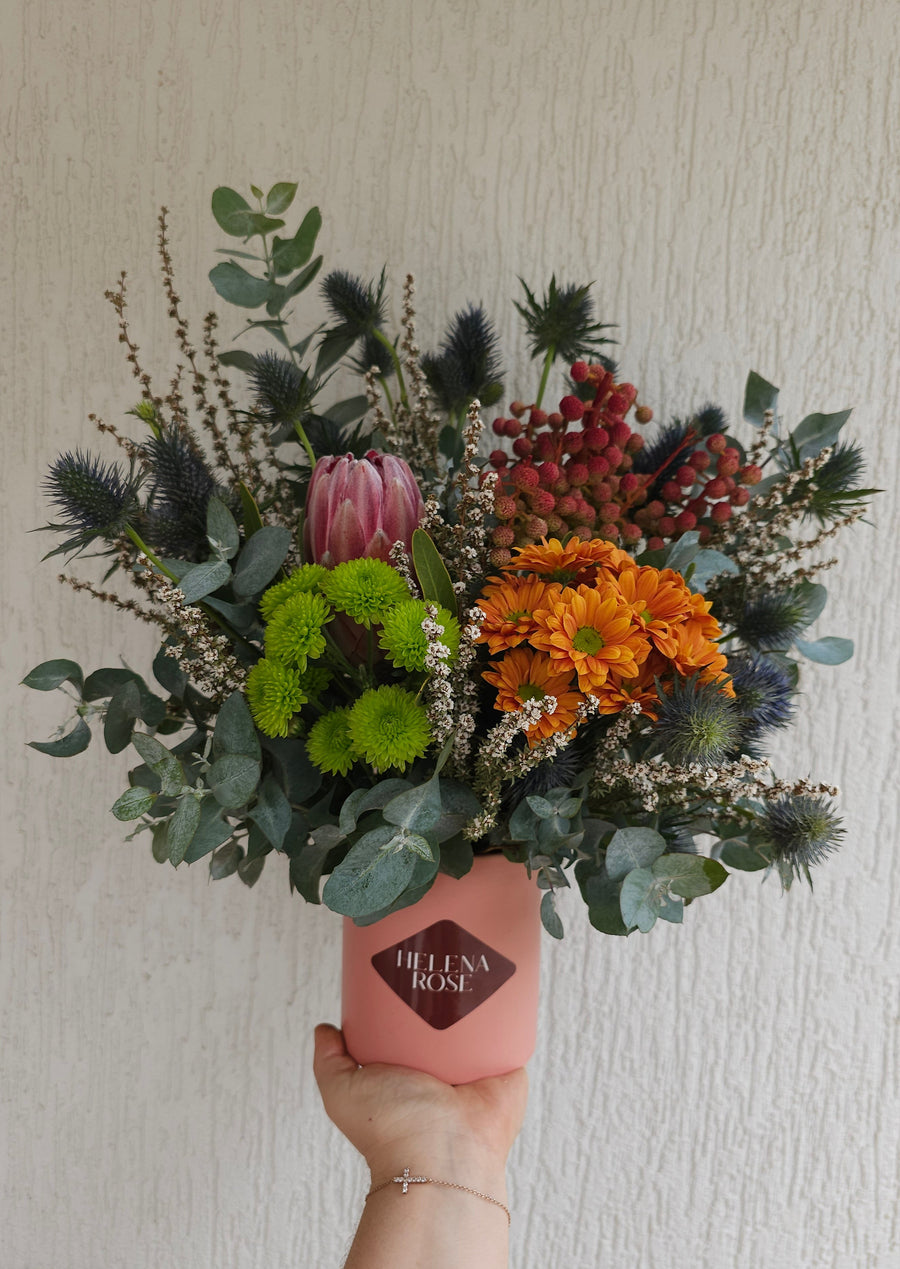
{"x": 435, "y": 1226}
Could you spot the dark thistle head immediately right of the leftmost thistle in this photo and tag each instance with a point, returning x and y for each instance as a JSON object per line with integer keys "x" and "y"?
{"x": 180, "y": 497}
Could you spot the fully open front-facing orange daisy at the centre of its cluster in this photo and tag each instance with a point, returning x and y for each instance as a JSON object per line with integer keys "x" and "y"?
{"x": 591, "y": 631}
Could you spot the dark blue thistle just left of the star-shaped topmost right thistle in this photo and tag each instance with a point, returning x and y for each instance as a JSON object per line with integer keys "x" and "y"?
{"x": 468, "y": 365}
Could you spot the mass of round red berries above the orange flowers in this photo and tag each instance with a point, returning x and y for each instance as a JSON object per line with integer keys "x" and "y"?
{"x": 572, "y": 473}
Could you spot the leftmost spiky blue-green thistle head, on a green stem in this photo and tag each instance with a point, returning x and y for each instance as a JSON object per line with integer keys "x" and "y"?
{"x": 95, "y": 499}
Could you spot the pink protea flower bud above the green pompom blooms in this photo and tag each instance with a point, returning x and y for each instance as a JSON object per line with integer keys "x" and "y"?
{"x": 359, "y": 508}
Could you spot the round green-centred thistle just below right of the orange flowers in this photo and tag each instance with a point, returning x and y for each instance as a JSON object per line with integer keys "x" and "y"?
{"x": 696, "y": 724}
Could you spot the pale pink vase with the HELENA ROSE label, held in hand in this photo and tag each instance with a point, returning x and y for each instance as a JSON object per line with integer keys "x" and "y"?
{"x": 498, "y": 905}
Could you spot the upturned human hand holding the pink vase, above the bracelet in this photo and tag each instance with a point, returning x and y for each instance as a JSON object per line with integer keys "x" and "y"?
{"x": 398, "y": 1117}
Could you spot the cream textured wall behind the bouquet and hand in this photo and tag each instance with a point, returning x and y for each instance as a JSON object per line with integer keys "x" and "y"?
{"x": 718, "y": 1096}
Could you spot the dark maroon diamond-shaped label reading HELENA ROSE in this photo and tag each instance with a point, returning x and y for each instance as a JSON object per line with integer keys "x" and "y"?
{"x": 444, "y": 973}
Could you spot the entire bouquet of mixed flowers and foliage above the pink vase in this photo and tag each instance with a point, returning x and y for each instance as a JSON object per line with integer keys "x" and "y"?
{"x": 385, "y": 650}
